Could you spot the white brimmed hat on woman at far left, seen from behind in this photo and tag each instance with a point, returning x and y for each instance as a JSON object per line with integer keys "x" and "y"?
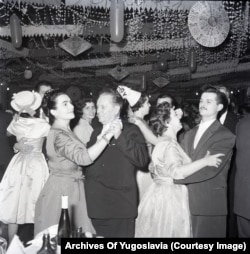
{"x": 26, "y": 102}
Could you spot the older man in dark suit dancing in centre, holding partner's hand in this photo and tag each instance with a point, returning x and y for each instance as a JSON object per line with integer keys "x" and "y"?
{"x": 110, "y": 184}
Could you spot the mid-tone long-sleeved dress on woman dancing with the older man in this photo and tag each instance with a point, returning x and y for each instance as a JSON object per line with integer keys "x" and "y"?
{"x": 65, "y": 152}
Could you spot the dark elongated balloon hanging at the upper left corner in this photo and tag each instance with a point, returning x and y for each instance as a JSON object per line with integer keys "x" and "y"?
{"x": 15, "y": 31}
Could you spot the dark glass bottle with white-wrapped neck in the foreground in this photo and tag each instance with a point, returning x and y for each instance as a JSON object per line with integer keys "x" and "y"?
{"x": 64, "y": 229}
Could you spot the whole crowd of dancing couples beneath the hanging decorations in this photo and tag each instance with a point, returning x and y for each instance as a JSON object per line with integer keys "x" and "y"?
{"x": 155, "y": 171}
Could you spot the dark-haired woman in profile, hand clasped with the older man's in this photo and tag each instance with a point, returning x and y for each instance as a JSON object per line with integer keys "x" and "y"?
{"x": 66, "y": 153}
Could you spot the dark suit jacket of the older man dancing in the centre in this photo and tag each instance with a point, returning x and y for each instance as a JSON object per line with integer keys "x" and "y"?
{"x": 110, "y": 184}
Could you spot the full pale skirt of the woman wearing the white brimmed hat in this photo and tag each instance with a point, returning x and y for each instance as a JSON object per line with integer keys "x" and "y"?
{"x": 21, "y": 185}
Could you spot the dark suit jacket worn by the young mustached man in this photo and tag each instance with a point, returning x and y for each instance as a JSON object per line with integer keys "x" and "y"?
{"x": 208, "y": 186}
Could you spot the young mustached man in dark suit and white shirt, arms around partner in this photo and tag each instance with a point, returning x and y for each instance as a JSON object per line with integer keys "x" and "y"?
{"x": 208, "y": 187}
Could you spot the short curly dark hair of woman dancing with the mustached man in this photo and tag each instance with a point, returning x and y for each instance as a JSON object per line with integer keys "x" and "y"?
{"x": 160, "y": 115}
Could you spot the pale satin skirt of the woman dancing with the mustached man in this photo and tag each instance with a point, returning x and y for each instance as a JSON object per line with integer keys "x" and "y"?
{"x": 164, "y": 211}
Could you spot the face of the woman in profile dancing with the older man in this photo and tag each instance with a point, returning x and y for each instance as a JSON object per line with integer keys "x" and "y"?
{"x": 64, "y": 108}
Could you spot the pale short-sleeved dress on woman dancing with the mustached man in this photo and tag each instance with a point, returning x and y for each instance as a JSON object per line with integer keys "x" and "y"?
{"x": 164, "y": 208}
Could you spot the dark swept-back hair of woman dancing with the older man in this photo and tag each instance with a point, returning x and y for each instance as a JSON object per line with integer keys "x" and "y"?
{"x": 49, "y": 102}
